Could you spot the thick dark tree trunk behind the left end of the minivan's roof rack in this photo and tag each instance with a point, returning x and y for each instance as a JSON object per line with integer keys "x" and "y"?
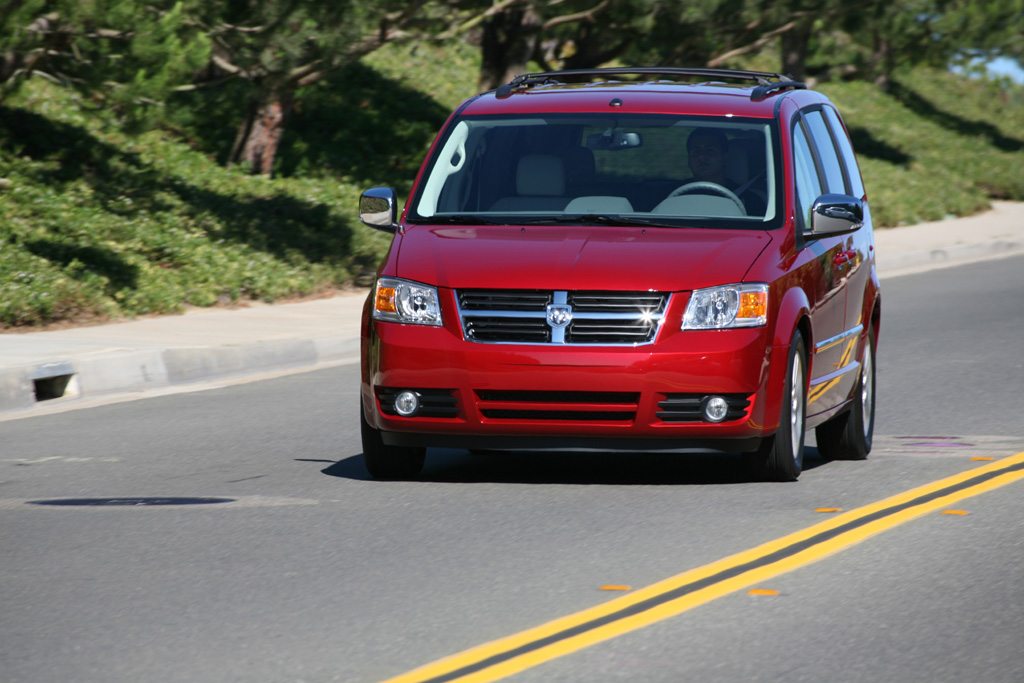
{"x": 509, "y": 41}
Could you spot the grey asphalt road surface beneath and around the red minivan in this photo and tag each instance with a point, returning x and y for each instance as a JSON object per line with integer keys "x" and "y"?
{"x": 314, "y": 573}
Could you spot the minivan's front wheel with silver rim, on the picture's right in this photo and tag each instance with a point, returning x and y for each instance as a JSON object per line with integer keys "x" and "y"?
{"x": 781, "y": 457}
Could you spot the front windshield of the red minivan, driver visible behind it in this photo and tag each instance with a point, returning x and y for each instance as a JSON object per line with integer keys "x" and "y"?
{"x": 601, "y": 169}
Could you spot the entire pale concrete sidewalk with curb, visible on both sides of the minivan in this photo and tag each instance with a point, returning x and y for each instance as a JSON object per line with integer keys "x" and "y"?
{"x": 44, "y": 369}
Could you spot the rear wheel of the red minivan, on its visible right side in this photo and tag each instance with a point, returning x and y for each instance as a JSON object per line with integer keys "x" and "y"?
{"x": 848, "y": 437}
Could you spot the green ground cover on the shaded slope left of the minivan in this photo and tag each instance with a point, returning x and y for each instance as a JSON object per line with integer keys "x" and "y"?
{"x": 98, "y": 225}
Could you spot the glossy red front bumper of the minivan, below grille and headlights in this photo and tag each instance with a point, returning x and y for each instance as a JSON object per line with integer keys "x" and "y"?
{"x": 525, "y": 397}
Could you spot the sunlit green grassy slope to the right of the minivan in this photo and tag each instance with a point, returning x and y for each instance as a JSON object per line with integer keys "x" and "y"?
{"x": 935, "y": 146}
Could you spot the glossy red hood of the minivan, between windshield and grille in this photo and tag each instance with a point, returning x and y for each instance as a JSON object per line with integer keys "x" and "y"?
{"x": 577, "y": 258}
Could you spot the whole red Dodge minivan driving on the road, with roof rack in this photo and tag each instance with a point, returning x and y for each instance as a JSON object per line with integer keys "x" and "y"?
{"x": 648, "y": 259}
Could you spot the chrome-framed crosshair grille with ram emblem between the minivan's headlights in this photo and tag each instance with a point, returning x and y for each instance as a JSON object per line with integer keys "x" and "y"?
{"x": 596, "y": 319}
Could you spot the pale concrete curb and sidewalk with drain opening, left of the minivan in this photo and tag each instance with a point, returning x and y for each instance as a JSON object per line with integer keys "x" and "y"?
{"x": 48, "y": 369}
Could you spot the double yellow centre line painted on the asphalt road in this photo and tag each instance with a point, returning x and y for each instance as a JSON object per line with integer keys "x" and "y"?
{"x": 509, "y": 656}
